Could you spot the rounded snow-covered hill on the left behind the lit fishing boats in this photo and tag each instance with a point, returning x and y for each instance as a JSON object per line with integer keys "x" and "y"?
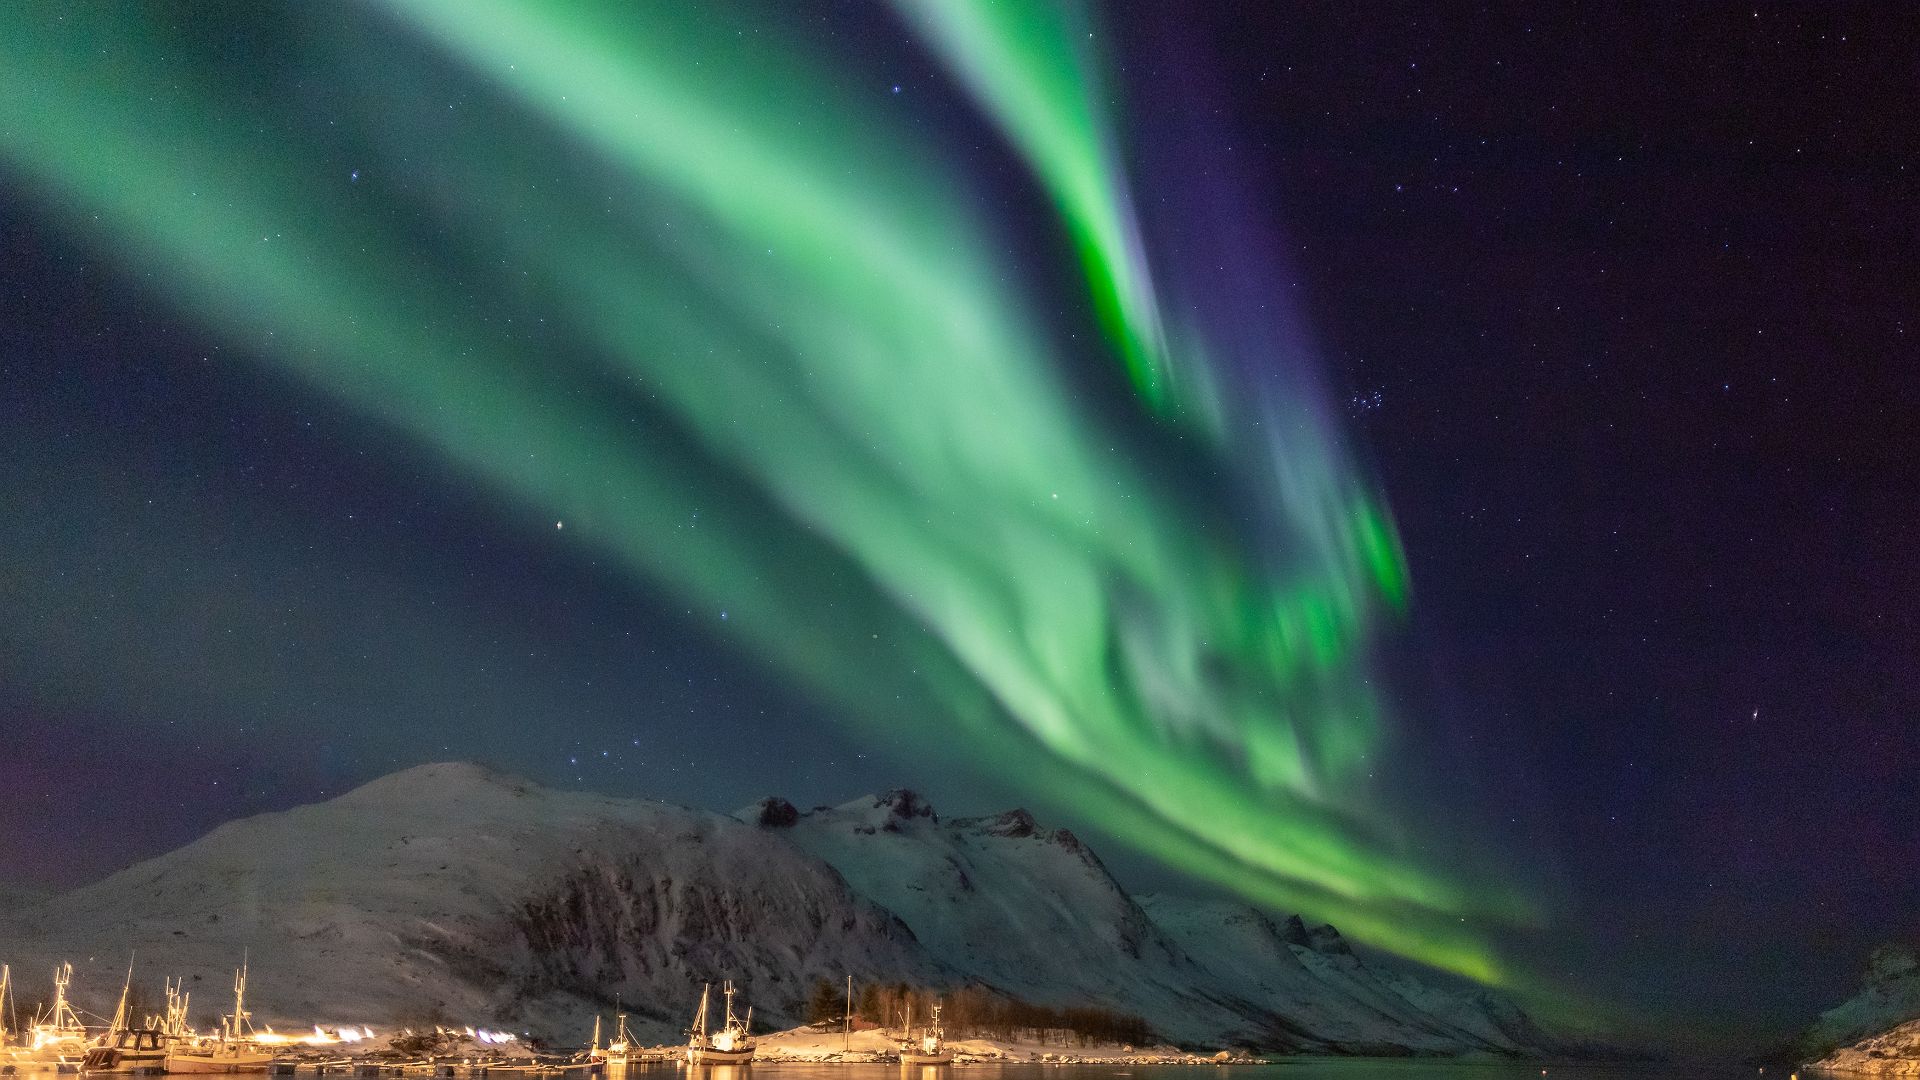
{"x": 458, "y": 893}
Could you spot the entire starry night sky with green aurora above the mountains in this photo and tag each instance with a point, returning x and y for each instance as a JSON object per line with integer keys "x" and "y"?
{"x": 1612, "y": 314}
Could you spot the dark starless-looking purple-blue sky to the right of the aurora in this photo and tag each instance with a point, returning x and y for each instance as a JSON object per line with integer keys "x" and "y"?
{"x": 1625, "y": 314}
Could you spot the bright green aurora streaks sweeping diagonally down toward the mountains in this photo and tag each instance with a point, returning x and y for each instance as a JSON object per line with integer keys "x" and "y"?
{"x": 790, "y": 314}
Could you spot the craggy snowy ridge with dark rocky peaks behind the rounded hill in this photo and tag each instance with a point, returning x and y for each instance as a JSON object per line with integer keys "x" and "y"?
{"x": 992, "y": 895}
